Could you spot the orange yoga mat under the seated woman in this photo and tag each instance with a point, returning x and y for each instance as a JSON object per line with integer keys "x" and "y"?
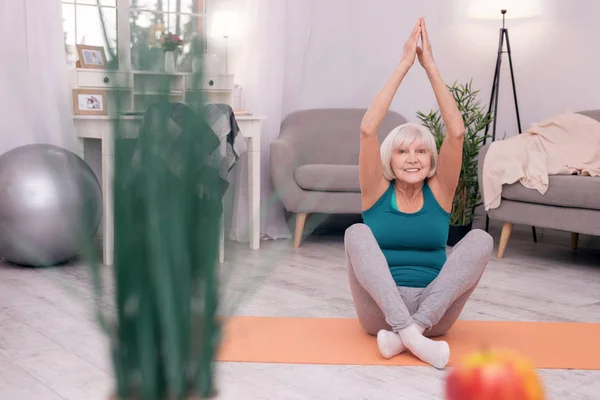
{"x": 341, "y": 341}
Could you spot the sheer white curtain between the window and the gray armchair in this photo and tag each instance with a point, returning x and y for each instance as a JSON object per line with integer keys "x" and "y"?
{"x": 259, "y": 60}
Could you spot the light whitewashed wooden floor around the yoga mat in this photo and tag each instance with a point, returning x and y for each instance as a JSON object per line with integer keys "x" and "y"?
{"x": 51, "y": 349}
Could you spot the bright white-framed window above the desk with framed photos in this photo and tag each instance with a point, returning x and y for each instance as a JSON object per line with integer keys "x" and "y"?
{"x": 96, "y": 23}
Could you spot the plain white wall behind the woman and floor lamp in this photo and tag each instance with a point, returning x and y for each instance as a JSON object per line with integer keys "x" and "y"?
{"x": 349, "y": 48}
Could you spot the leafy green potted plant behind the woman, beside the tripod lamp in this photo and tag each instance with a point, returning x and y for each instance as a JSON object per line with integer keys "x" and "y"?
{"x": 475, "y": 118}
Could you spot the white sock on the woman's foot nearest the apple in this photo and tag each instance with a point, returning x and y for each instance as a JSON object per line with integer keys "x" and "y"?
{"x": 436, "y": 353}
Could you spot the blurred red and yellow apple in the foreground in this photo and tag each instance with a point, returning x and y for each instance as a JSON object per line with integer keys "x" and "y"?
{"x": 494, "y": 375}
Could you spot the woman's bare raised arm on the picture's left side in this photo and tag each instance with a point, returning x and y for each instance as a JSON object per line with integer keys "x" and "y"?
{"x": 372, "y": 182}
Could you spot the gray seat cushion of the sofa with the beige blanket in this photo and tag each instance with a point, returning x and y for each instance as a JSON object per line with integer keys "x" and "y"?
{"x": 575, "y": 191}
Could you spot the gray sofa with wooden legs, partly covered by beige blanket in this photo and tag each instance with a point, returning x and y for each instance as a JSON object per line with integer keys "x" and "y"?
{"x": 571, "y": 203}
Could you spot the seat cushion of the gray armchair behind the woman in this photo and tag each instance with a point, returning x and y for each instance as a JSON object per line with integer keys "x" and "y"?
{"x": 328, "y": 178}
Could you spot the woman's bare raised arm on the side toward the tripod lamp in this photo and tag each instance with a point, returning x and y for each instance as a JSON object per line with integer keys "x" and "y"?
{"x": 450, "y": 158}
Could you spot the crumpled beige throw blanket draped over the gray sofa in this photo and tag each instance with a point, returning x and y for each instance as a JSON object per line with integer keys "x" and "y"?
{"x": 564, "y": 144}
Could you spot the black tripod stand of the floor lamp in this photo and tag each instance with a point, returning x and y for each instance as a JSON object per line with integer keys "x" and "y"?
{"x": 496, "y": 89}
